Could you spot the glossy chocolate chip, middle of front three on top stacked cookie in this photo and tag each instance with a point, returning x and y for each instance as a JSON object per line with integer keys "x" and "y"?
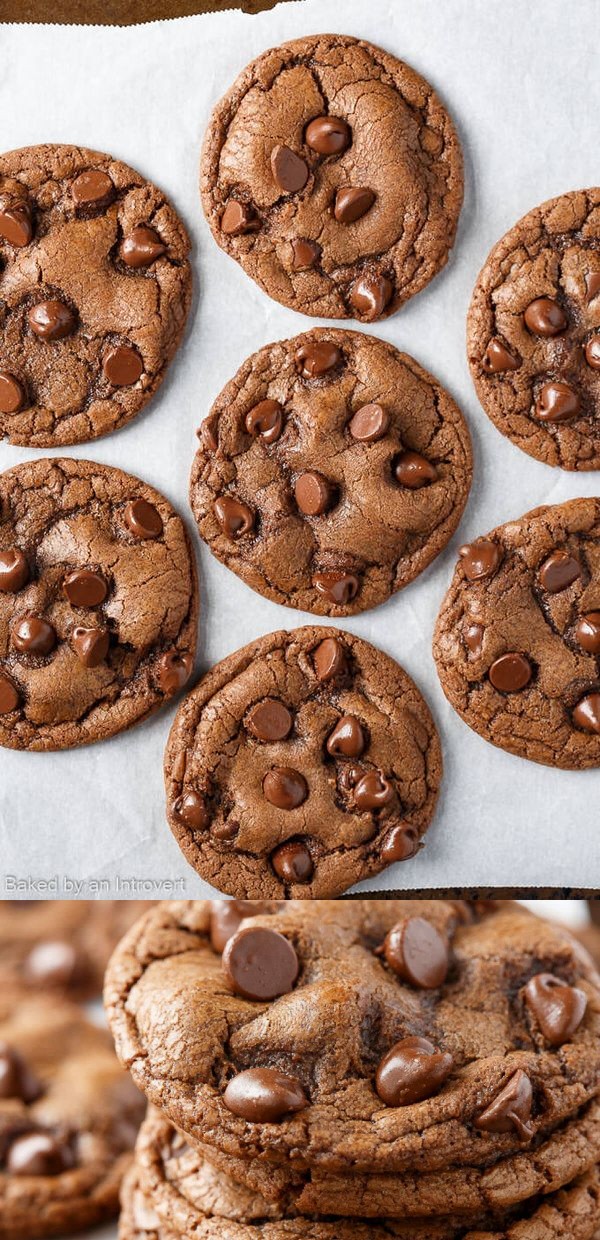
{"x": 413, "y": 1071}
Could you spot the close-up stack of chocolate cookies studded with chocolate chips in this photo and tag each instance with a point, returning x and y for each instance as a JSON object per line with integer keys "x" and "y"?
{"x": 427, "y": 1071}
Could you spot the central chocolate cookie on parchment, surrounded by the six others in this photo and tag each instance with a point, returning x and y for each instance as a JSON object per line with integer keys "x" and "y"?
{"x": 332, "y": 472}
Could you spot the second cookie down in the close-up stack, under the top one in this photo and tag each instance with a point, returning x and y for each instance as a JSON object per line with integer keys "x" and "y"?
{"x": 190, "y": 1193}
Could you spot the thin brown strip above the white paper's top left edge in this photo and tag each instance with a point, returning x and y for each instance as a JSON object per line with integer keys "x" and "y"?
{"x": 118, "y": 13}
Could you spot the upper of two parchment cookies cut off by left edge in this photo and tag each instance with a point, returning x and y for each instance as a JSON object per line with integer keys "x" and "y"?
{"x": 95, "y": 292}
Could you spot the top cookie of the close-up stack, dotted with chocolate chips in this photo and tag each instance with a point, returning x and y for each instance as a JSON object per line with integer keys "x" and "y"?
{"x": 417, "y": 1036}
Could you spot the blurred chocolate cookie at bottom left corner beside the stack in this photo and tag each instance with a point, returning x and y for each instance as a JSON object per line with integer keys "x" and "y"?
{"x": 69, "y": 1119}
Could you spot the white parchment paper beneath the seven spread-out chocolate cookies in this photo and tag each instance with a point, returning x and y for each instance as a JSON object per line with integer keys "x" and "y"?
{"x": 524, "y": 89}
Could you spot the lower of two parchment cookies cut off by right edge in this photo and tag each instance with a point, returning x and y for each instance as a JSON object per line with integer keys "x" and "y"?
{"x": 518, "y": 640}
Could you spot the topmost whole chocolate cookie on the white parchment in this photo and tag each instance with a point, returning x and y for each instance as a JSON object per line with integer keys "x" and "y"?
{"x": 334, "y": 175}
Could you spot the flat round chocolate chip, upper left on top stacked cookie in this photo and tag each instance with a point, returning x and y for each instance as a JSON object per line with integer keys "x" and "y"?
{"x": 260, "y": 964}
